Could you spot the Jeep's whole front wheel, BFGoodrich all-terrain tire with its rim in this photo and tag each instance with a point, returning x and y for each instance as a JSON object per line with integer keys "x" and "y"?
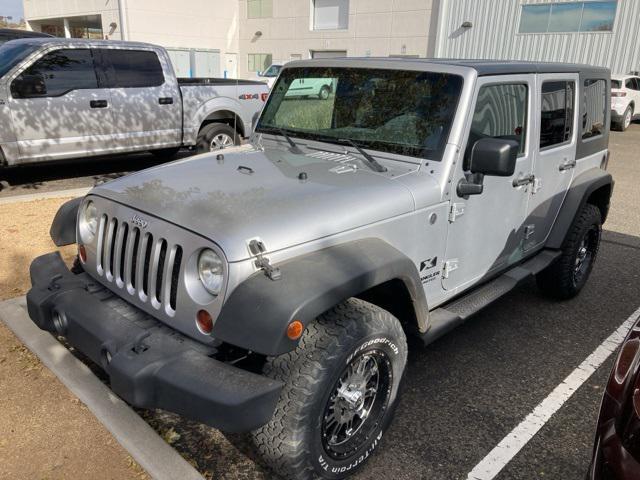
{"x": 341, "y": 389}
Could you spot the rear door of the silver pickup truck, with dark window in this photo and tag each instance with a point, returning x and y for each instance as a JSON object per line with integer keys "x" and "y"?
{"x": 147, "y": 107}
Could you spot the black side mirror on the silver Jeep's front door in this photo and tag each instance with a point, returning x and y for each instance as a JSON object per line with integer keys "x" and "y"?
{"x": 494, "y": 157}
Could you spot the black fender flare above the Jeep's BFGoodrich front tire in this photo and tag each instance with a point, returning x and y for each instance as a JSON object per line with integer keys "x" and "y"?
{"x": 257, "y": 313}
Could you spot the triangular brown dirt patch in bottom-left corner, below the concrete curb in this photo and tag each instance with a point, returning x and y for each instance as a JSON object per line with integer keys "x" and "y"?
{"x": 46, "y": 431}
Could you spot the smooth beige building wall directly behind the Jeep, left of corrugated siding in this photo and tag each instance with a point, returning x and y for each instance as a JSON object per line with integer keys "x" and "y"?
{"x": 375, "y": 28}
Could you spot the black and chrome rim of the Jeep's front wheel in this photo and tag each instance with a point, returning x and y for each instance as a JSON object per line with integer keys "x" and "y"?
{"x": 357, "y": 404}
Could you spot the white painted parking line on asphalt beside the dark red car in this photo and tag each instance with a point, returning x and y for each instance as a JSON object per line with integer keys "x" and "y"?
{"x": 510, "y": 445}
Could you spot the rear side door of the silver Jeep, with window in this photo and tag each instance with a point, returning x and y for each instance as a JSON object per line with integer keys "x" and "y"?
{"x": 554, "y": 155}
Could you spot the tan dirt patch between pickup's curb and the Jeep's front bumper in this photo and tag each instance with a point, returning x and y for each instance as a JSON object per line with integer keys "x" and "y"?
{"x": 24, "y": 234}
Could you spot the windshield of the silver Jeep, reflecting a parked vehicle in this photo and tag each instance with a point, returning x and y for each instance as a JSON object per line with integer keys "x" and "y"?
{"x": 404, "y": 112}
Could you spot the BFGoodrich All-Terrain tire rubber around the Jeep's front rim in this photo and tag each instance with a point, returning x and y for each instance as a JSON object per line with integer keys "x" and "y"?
{"x": 291, "y": 443}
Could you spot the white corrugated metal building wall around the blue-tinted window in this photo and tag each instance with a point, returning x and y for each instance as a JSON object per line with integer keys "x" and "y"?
{"x": 494, "y": 35}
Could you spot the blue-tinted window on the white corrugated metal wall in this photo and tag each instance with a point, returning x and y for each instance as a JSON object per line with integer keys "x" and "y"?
{"x": 591, "y": 16}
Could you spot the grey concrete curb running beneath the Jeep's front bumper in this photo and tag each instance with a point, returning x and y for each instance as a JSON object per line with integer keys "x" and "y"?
{"x": 134, "y": 434}
